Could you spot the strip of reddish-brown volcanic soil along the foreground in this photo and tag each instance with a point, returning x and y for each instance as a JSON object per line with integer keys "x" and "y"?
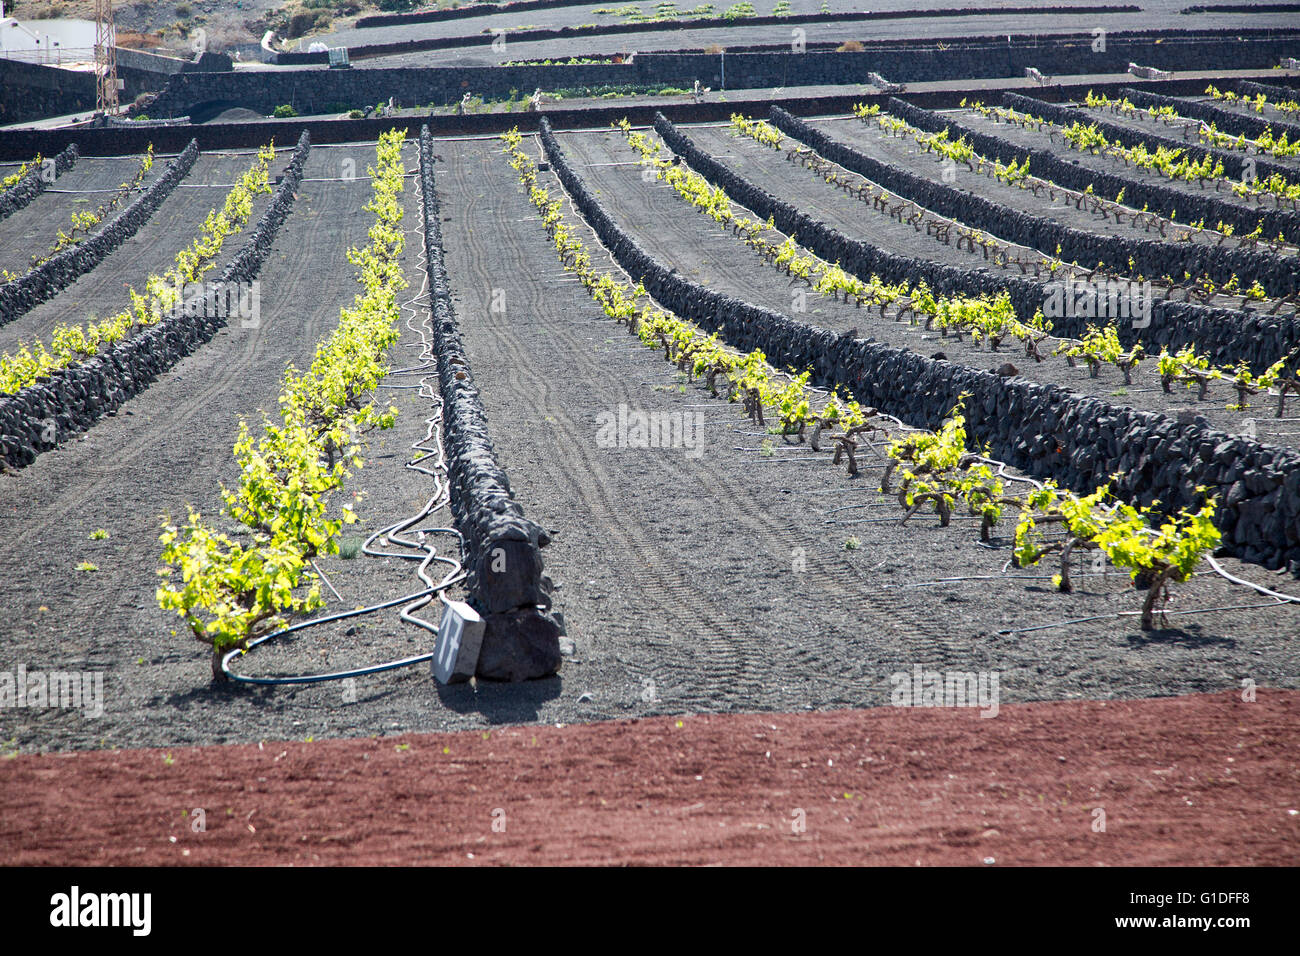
{"x": 1182, "y": 781}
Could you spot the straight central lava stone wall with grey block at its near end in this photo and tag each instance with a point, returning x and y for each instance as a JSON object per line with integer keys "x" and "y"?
{"x": 502, "y": 547}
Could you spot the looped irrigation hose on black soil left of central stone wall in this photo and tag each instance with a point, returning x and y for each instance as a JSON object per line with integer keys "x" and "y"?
{"x": 393, "y": 534}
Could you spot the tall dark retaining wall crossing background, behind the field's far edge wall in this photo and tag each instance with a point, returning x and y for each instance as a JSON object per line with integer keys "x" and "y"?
{"x": 315, "y": 90}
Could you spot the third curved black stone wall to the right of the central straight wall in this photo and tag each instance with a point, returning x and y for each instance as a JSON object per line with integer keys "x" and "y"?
{"x": 1150, "y": 258}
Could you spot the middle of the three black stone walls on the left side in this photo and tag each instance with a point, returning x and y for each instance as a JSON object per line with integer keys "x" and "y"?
{"x": 63, "y": 269}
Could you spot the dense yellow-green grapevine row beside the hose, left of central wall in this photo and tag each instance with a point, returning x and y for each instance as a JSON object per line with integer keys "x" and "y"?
{"x": 232, "y": 592}
